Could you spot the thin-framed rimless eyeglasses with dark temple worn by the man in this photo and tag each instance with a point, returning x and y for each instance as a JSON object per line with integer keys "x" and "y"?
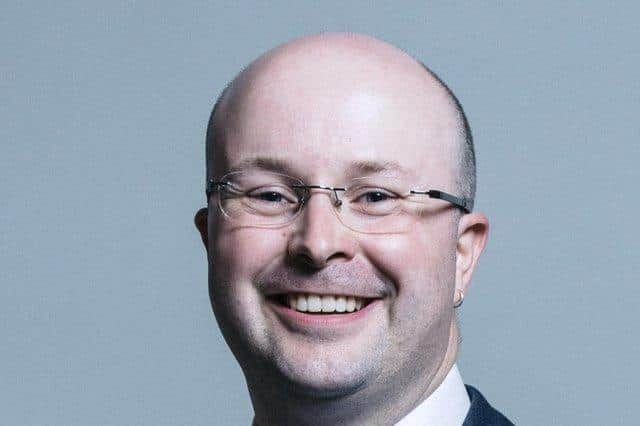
{"x": 367, "y": 204}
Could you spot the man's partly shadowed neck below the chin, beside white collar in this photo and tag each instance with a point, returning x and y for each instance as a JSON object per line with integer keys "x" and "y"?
{"x": 280, "y": 404}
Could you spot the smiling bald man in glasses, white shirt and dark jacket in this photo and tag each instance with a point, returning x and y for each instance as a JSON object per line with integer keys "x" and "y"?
{"x": 340, "y": 236}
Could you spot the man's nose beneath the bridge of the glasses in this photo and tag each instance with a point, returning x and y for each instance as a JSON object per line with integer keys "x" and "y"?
{"x": 320, "y": 237}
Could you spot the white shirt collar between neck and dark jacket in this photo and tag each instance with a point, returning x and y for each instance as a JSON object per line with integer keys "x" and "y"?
{"x": 447, "y": 405}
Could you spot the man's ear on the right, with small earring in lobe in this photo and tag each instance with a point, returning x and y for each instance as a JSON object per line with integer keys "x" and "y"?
{"x": 473, "y": 230}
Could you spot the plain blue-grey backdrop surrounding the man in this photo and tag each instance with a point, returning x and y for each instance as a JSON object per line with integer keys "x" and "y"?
{"x": 104, "y": 315}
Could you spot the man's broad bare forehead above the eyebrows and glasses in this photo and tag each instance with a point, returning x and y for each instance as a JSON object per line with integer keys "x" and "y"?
{"x": 328, "y": 117}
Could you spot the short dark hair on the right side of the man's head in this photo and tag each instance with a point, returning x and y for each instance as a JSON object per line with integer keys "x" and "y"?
{"x": 466, "y": 179}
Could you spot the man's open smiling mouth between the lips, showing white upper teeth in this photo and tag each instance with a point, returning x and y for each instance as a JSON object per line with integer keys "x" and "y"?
{"x": 319, "y": 304}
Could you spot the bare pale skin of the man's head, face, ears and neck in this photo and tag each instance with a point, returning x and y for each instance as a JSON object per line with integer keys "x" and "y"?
{"x": 320, "y": 104}
